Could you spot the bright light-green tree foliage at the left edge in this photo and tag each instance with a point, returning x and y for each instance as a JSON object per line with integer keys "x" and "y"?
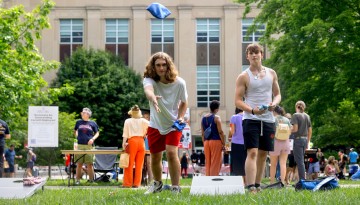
{"x": 22, "y": 66}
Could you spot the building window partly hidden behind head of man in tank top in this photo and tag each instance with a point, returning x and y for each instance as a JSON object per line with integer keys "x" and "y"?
{"x": 248, "y": 38}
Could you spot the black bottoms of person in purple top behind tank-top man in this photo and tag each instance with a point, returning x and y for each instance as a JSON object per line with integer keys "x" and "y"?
{"x": 238, "y": 156}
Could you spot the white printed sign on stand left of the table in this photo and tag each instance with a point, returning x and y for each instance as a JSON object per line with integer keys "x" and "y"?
{"x": 43, "y": 126}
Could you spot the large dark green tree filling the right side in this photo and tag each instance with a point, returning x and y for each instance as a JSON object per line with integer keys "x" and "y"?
{"x": 315, "y": 50}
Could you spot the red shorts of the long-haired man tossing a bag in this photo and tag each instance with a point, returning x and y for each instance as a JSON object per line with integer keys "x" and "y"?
{"x": 158, "y": 142}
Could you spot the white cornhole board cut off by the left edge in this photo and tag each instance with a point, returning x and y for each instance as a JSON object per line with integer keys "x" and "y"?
{"x": 13, "y": 188}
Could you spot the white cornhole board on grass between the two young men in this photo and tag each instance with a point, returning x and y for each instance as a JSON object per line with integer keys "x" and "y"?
{"x": 217, "y": 185}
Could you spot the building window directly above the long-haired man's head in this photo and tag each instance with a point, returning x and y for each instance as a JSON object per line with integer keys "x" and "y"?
{"x": 162, "y": 36}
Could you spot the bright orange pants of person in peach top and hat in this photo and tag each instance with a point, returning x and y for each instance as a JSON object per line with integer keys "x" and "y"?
{"x": 136, "y": 150}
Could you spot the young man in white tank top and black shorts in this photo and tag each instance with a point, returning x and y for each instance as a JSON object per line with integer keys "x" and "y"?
{"x": 258, "y": 85}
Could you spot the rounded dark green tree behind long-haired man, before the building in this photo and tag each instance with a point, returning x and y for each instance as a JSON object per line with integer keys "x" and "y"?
{"x": 104, "y": 84}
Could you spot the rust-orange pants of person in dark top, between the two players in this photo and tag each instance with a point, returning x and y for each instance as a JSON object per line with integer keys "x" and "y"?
{"x": 213, "y": 159}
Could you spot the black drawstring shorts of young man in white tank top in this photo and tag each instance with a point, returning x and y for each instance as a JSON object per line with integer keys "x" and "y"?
{"x": 253, "y": 138}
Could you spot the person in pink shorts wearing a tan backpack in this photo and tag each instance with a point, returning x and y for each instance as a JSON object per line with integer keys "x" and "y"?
{"x": 281, "y": 148}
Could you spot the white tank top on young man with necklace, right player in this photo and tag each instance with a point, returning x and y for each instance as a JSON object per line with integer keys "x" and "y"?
{"x": 259, "y": 92}
